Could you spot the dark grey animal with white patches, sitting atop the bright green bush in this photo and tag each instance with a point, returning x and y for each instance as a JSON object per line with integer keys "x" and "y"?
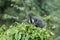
{"x": 38, "y": 22}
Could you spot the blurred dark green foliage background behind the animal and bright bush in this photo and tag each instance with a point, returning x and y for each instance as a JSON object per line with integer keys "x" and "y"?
{"x": 13, "y": 12}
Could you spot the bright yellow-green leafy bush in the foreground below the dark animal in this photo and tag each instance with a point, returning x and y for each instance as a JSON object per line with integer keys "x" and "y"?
{"x": 25, "y": 32}
